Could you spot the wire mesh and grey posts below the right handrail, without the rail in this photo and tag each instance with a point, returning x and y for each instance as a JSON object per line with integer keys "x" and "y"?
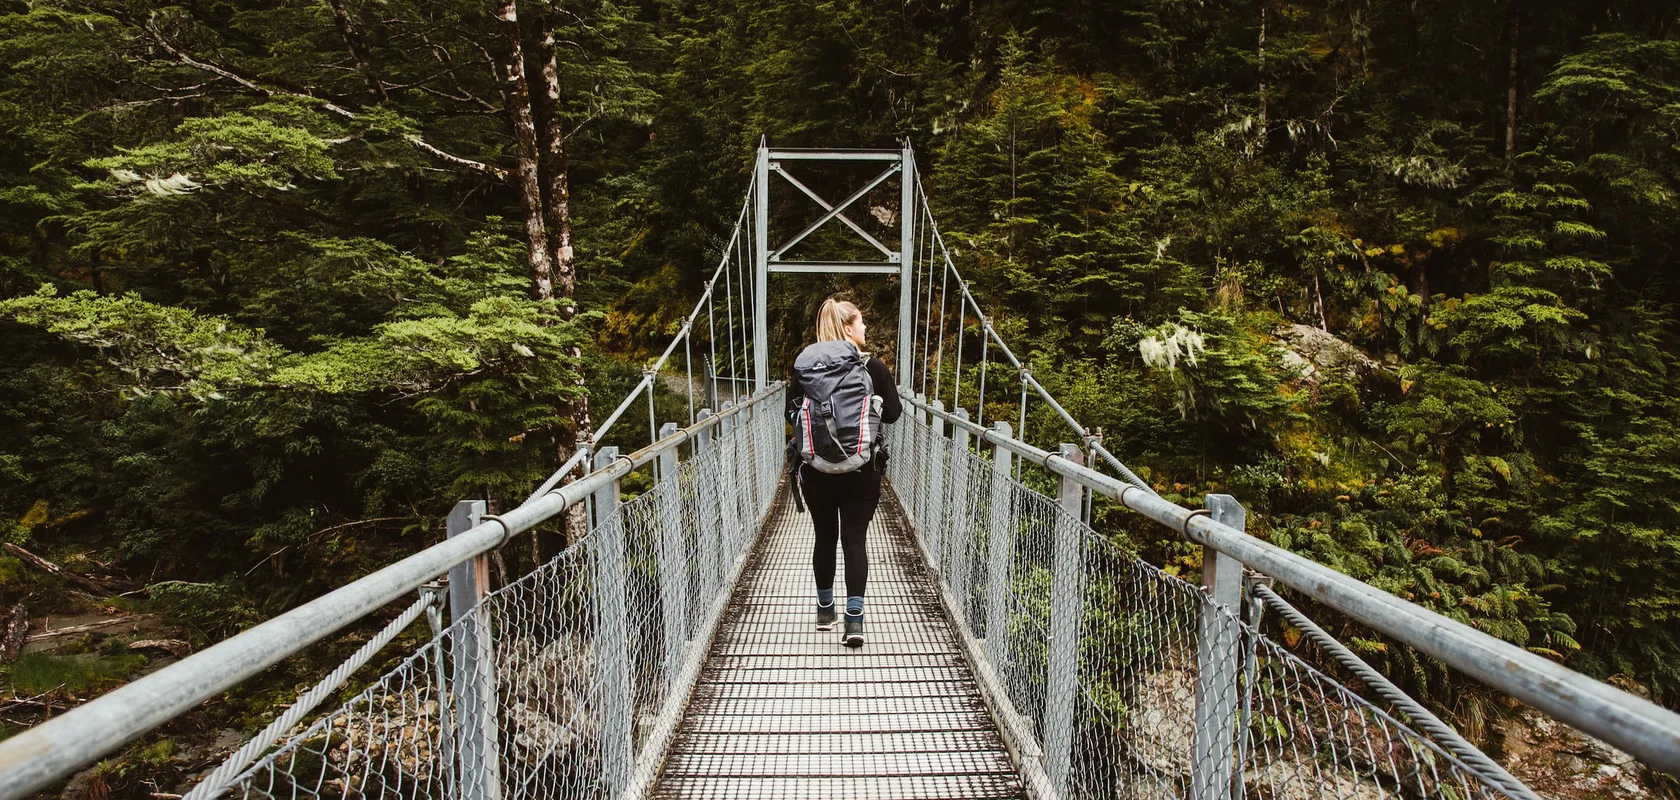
{"x": 1133, "y": 683}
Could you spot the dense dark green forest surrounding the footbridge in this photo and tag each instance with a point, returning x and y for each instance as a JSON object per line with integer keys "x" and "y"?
{"x": 285, "y": 280}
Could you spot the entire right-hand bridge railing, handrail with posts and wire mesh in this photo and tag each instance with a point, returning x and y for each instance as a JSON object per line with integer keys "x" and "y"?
{"x": 1115, "y": 680}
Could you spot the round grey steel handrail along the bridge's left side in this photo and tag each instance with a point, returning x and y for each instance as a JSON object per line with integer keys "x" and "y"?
{"x": 53, "y": 750}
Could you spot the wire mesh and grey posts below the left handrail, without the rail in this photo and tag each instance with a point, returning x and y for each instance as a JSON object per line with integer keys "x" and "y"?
{"x": 555, "y": 685}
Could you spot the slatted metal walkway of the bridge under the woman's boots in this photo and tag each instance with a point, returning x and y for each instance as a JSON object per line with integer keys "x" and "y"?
{"x": 785, "y": 712}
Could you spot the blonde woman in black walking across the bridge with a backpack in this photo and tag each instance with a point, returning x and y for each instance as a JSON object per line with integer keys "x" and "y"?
{"x": 841, "y": 397}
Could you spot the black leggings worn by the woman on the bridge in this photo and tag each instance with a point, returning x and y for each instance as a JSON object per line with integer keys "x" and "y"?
{"x": 841, "y": 510}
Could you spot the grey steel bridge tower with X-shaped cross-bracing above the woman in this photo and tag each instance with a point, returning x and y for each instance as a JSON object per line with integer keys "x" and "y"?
{"x": 770, "y": 260}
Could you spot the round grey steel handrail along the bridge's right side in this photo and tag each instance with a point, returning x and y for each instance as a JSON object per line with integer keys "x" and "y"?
{"x": 1627, "y": 722}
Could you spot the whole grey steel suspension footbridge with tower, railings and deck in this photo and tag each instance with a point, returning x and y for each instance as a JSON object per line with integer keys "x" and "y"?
{"x": 1012, "y": 651}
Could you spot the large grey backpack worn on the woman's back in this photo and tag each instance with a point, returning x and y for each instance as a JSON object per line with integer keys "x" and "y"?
{"x": 836, "y": 428}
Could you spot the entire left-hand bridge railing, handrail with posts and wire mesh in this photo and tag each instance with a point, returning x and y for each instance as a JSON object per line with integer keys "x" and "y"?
{"x": 562, "y": 685}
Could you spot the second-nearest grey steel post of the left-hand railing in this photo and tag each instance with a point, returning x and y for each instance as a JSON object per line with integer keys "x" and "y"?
{"x": 612, "y": 643}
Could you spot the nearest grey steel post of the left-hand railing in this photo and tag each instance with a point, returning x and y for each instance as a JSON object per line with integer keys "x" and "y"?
{"x": 478, "y": 755}
